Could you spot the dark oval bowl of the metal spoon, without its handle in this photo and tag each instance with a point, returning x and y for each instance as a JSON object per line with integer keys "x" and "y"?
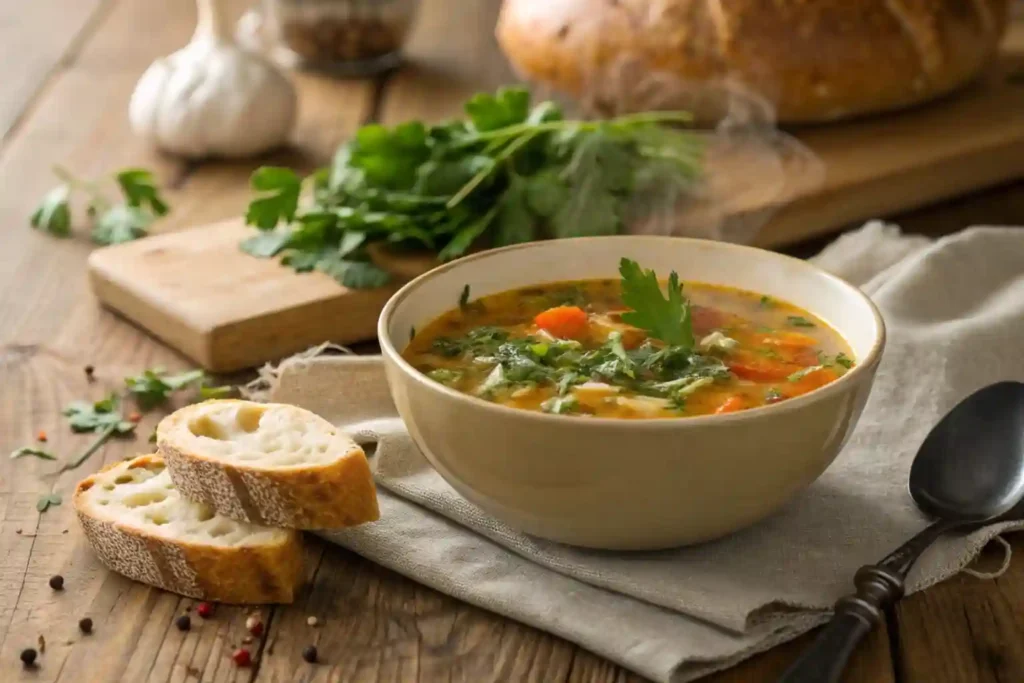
{"x": 971, "y": 466}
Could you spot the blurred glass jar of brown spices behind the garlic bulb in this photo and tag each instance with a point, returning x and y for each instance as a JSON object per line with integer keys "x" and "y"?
{"x": 354, "y": 37}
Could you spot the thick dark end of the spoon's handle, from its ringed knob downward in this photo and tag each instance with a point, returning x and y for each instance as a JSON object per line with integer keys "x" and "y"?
{"x": 856, "y": 617}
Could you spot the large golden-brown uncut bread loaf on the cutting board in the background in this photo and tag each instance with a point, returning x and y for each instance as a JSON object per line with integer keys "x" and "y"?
{"x": 815, "y": 61}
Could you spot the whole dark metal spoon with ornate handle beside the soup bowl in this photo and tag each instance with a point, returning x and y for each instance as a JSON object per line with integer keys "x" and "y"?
{"x": 970, "y": 469}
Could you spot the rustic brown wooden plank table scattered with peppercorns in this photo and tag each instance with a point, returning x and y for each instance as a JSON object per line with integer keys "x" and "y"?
{"x": 71, "y": 66}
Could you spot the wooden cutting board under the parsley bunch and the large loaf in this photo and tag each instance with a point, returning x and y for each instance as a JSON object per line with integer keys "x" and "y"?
{"x": 227, "y": 311}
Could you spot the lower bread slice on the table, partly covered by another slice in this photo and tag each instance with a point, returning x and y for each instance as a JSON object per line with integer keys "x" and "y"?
{"x": 141, "y": 527}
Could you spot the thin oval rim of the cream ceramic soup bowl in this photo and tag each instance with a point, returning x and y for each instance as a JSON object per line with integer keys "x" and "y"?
{"x": 863, "y": 369}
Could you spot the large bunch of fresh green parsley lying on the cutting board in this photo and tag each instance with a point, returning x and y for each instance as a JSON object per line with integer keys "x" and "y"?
{"x": 505, "y": 175}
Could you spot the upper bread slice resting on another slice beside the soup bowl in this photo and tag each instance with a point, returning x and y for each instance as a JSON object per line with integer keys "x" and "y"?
{"x": 270, "y": 464}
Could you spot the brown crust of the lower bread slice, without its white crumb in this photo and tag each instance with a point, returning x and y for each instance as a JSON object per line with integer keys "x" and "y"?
{"x": 239, "y": 575}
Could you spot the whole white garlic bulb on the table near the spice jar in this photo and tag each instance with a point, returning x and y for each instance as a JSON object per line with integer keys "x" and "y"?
{"x": 214, "y": 99}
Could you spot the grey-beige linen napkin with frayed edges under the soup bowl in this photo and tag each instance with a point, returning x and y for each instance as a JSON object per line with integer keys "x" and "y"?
{"x": 955, "y": 311}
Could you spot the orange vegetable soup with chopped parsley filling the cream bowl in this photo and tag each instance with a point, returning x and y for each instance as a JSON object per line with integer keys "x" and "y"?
{"x": 630, "y": 349}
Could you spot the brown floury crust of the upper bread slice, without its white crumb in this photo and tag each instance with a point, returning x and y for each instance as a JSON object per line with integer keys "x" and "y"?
{"x": 335, "y": 495}
